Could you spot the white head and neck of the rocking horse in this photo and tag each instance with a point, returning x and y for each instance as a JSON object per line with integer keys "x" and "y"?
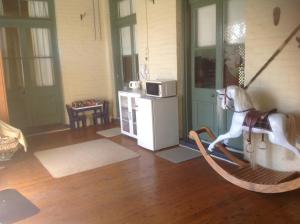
{"x": 234, "y": 97}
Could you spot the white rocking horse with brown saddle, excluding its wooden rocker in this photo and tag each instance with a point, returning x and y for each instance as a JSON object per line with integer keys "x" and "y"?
{"x": 246, "y": 118}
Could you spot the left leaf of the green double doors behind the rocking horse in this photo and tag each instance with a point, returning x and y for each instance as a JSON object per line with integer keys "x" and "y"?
{"x": 205, "y": 71}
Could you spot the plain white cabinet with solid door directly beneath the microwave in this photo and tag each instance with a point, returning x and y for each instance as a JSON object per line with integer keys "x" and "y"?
{"x": 157, "y": 120}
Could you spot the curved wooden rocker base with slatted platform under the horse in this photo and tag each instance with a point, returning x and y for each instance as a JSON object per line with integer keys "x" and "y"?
{"x": 259, "y": 180}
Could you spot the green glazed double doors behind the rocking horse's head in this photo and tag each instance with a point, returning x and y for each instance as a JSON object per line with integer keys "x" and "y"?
{"x": 217, "y": 60}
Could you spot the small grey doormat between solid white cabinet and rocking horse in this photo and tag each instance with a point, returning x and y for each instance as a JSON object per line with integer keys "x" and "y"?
{"x": 178, "y": 154}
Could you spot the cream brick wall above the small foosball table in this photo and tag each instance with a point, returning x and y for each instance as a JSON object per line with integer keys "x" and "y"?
{"x": 86, "y": 61}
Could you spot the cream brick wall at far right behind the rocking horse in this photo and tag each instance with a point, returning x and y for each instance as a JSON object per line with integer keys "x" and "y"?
{"x": 278, "y": 86}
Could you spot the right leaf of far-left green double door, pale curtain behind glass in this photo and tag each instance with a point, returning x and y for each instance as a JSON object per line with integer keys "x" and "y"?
{"x": 43, "y": 88}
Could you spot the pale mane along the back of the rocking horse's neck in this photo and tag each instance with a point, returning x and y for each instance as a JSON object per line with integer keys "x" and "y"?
{"x": 242, "y": 100}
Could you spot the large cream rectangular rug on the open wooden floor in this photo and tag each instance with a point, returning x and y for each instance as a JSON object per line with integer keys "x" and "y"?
{"x": 71, "y": 159}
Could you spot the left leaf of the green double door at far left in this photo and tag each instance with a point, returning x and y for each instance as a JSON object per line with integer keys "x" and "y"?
{"x": 16, "y": 82}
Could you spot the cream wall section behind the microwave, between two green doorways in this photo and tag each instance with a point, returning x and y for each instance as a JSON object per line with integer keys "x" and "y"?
{"x": 159, "y": 40}
